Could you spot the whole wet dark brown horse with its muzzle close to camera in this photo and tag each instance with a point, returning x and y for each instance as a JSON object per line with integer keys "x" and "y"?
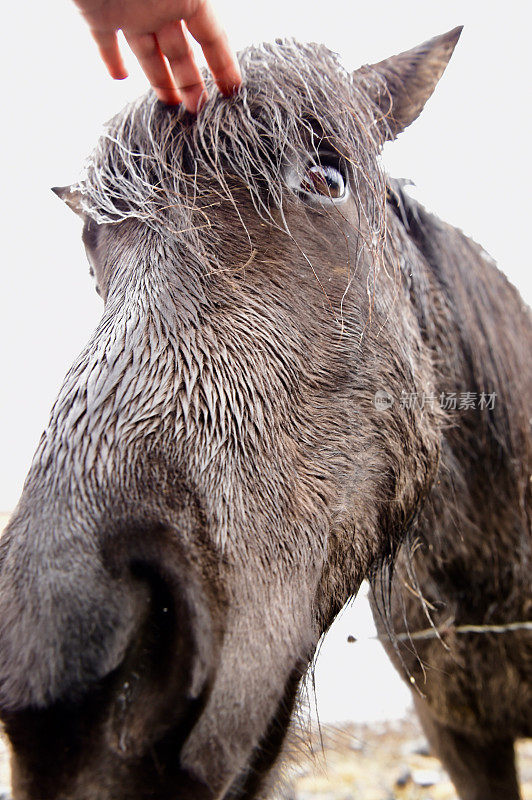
{"x": 236, "y": 449}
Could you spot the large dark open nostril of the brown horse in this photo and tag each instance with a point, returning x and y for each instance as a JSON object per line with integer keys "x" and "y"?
{"x": 161, "y": 684}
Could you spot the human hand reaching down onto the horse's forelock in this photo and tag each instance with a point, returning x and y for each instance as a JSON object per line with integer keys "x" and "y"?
{"x": 156, "y": 32}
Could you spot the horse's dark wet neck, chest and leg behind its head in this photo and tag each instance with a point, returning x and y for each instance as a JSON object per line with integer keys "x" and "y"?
{"x": 470, "y": 548}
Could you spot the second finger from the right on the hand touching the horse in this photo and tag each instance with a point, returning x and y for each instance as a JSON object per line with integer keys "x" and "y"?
{"x": 175, "y": 46}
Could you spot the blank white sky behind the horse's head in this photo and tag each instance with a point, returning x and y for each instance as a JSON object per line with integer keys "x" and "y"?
{"x": 469, "y": 155}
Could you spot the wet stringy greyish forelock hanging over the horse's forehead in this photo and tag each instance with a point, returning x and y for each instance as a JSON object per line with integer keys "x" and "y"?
{"x": 295, "y": 99}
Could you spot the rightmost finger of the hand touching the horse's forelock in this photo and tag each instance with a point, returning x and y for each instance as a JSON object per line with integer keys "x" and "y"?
{"x": 206, "y": 29}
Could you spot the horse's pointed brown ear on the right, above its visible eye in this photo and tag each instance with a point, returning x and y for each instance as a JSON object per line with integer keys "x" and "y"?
{"x": 405, "y": 82}
